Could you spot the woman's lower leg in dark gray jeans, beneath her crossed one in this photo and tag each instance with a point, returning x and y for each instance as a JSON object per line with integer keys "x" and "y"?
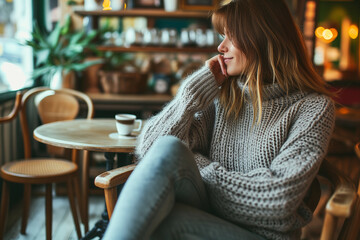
{"x": 186, "y": 222}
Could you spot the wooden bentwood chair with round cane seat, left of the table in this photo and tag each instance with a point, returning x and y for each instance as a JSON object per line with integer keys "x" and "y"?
{"x": 53, "y": 105}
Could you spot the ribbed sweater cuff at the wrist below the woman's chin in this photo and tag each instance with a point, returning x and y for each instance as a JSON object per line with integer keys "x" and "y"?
{"x": 200, "y": 88}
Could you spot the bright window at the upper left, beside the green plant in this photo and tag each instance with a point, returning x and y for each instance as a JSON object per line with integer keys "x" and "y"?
{"x": 16, "y": 61}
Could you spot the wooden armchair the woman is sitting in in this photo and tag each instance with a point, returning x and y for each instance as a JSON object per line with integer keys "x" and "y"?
{"x": 339, "y": 206}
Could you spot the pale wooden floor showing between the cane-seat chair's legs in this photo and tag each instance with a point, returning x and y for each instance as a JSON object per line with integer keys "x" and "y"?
{"x": 63, "y": 224}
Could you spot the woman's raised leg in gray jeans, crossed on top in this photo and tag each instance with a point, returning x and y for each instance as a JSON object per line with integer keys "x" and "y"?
{"x": 167, "y": 172}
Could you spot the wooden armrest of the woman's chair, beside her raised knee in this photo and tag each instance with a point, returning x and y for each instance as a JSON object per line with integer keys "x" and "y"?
{"x": 115, "y": 177}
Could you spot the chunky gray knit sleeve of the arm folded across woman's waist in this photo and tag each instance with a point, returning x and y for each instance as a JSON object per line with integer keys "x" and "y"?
{"x": 268, "y": 197}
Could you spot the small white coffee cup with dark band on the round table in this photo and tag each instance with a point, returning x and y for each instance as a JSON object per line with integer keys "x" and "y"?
{"x": 125, "y": 123}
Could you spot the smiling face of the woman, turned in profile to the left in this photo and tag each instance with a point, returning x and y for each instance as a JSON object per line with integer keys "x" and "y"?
{"x": 234, "y": 59}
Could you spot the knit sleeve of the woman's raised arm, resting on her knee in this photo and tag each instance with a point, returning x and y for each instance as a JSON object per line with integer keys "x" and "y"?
{"x": 189, "y": 116}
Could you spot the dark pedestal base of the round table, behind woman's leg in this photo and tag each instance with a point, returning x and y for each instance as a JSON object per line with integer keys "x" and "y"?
{"x": 100, "y": 226}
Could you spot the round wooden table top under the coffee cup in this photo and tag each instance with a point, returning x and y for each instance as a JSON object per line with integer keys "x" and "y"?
{"x": 85, "y": 134}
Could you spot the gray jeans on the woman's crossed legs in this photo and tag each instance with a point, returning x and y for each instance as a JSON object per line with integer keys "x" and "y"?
{"x": 165, "y": 198}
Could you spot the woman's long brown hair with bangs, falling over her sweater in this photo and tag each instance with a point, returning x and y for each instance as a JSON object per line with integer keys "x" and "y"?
{"x": 267, "y": 34}
